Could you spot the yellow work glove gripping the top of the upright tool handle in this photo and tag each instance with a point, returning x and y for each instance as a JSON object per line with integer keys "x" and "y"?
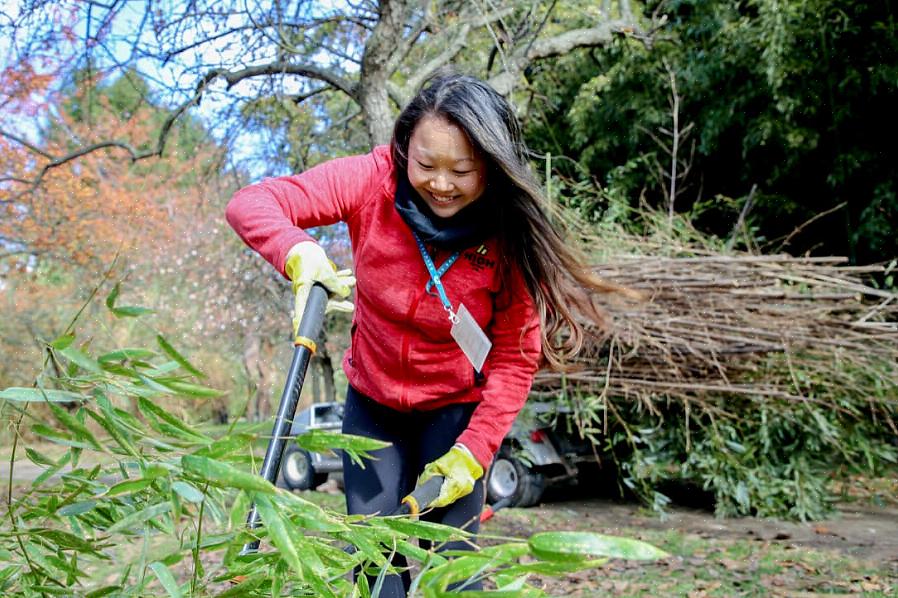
{"x": 307, "y": 264}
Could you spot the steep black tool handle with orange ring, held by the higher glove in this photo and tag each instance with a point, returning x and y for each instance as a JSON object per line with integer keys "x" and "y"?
{"x": 309, "y": 327}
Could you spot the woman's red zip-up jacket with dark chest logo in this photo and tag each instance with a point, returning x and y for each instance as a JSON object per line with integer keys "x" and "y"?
{"x": 401, "y": 352}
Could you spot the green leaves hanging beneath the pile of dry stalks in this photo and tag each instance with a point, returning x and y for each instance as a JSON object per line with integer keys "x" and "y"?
{"x": 763, "y": 457}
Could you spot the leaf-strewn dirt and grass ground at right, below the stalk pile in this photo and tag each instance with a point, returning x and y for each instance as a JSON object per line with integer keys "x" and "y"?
{"x": 855, "y": 552}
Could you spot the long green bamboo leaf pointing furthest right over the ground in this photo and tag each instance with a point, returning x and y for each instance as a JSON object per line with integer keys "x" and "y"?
{"x": 573, "y": 546}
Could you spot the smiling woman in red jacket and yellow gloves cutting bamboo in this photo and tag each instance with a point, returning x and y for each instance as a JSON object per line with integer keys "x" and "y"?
{"x": 462, "y": 286}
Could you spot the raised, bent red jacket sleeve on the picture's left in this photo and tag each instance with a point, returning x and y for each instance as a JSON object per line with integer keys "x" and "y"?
{"x": 270, "y": 216}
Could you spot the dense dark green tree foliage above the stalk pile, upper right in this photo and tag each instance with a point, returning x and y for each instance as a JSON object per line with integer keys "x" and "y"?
{"x": 793, "y": 97}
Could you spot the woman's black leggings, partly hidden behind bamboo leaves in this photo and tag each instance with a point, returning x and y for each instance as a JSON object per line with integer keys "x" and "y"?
{"x": 416, "y": 438}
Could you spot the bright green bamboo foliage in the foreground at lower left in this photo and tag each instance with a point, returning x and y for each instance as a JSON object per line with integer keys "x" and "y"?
{"x": 142, "y": 501}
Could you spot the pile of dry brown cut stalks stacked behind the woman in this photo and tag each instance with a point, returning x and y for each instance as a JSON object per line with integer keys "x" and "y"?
{"x": 757, "y": 326}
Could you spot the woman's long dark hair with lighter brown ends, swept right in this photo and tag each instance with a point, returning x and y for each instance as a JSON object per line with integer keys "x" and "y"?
{"x": 562, "y": 286}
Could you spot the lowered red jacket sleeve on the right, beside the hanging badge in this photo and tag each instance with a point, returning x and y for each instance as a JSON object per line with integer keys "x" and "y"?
{"x": 512, "y": 362}
